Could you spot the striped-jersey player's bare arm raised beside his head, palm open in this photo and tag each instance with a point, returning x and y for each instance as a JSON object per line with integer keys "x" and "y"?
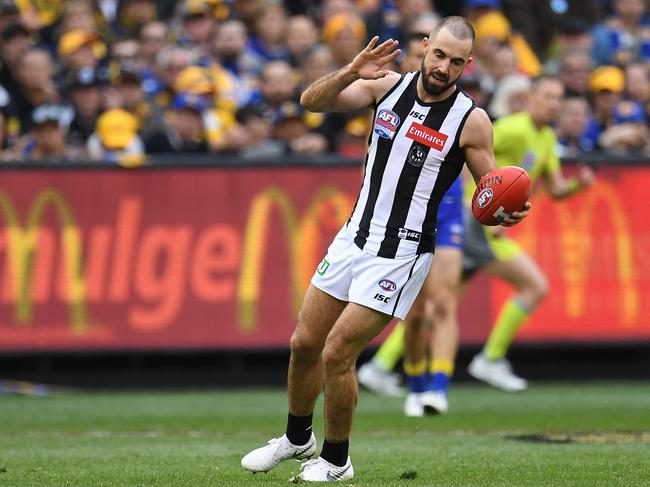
{"x": 357, "y": 85}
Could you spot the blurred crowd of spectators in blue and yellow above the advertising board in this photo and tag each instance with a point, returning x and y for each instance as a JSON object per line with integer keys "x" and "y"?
{"x": 117, "y": 80}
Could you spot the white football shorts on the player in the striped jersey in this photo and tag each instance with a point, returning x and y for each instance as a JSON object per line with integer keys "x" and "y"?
{"x": 386, "y": 285}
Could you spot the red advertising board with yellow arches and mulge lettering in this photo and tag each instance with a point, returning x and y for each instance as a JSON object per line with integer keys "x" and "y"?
{"x": 220, "y": 257}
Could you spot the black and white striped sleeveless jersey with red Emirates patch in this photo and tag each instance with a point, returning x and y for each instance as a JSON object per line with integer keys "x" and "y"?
{"x": 413, "y": 158}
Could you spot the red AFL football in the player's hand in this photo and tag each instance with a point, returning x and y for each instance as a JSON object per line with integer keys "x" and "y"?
{"x": 499, "y": 193}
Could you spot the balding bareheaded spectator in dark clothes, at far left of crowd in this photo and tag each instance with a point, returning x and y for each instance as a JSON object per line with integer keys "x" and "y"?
{"x": 36, "y": 83}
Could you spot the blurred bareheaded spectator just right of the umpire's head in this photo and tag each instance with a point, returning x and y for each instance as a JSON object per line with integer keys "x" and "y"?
{"x": 571, "y": 127}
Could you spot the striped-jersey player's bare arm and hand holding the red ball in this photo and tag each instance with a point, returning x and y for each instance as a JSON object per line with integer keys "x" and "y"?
{"x": 477, "y": 141}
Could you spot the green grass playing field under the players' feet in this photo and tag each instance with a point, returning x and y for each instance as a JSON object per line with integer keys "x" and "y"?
{"x": 599, "y": 433}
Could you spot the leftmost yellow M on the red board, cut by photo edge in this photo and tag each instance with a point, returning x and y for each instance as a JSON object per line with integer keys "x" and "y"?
{"x": 22, "y": 243}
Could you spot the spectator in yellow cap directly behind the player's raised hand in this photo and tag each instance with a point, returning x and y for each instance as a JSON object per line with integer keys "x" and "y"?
{"x": 345, "y": 34}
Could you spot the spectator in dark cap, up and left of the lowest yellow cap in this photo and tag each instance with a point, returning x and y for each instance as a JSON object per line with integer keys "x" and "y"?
{"x": 84, "y": 92}
